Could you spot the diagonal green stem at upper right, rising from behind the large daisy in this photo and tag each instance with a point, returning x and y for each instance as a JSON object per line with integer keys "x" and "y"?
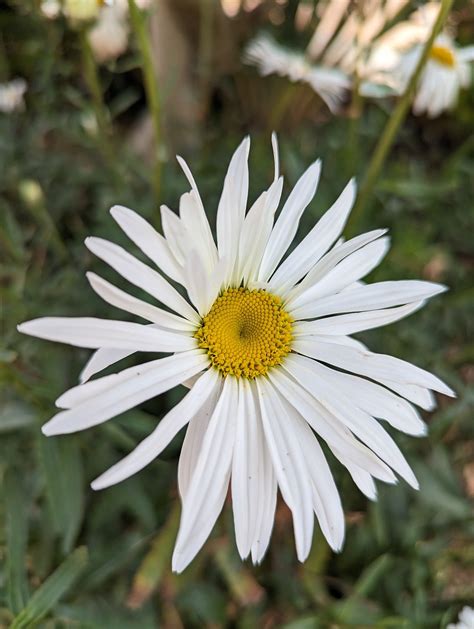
{"x": 388, "y": 136}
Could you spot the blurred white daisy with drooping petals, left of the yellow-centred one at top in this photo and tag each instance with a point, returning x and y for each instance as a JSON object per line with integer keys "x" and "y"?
{"x": 330, "y": 83}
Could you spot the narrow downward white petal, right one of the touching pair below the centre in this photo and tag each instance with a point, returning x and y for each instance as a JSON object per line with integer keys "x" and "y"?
{"x": 266, "y": 491}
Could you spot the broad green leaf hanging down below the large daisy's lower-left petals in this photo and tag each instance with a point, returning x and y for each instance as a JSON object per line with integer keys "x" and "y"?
{"x": 62, "y": 467}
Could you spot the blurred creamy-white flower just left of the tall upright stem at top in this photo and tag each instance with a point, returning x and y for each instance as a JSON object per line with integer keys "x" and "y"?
{"x": 109, "y": 35}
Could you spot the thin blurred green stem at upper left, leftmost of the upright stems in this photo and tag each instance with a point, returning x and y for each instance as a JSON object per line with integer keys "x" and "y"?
{"x": 101, "y": 113}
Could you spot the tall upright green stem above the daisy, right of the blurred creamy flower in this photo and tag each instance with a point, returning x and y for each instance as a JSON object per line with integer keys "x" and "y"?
{"x": 139, "y": 24}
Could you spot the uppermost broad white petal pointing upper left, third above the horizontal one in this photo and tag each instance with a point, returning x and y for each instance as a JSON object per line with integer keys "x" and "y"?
{"x": 148, "y": 240}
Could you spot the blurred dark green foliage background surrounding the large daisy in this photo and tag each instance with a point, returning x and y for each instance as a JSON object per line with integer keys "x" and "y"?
{"x": 408, "y": 559}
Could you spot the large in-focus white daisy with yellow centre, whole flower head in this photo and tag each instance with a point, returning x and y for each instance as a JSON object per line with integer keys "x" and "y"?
{"x": 262, "y": 340}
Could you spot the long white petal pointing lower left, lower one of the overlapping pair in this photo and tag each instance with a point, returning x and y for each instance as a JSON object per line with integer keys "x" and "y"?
{"x": 127, "y": 389}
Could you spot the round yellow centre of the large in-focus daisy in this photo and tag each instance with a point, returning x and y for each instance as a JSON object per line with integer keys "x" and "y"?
{"x": 246, "y": 332}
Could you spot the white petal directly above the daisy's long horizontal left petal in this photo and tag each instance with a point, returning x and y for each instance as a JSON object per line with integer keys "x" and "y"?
{"x": 120, "y": 299}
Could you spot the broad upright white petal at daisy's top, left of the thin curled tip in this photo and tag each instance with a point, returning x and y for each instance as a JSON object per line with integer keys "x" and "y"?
{"x": 232, "y": 204}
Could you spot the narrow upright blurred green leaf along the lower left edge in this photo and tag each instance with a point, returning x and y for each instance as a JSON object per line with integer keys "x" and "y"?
{"x": 16, "y": 537}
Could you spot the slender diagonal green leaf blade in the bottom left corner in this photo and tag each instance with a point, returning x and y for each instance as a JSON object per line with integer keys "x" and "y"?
{"x": 52, "y": 590}
